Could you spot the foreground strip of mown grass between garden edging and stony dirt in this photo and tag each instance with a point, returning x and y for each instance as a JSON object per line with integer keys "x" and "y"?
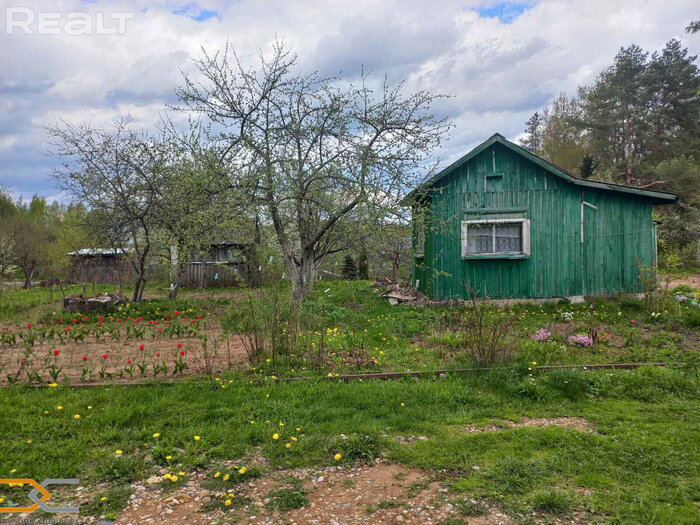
{"x": 641, "y": 464}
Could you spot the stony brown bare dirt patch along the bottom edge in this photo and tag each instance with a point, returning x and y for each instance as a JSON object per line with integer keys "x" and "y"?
{"x": 380, "y": 494}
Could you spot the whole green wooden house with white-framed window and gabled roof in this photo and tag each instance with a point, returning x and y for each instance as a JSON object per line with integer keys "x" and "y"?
{"x": 512, "y": 225}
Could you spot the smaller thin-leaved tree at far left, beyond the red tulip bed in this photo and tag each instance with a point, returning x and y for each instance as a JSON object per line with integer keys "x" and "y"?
{"x": 117, "y": 172}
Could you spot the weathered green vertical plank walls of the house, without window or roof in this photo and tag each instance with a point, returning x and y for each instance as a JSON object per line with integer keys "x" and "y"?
{"x": 616, "y": 236}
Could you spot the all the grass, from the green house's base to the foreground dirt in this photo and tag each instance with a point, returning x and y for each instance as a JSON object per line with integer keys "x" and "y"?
{"x": 632, "y": 455}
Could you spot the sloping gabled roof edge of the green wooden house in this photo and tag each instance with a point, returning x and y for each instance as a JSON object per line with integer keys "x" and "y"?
{"x": 658, "y": 197}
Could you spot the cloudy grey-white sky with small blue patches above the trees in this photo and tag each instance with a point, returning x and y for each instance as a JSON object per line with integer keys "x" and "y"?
{"x": 500, "y": 61}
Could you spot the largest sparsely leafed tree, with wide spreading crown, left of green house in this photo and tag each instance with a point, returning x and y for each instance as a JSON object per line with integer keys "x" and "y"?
{"x": 314, "y": 153}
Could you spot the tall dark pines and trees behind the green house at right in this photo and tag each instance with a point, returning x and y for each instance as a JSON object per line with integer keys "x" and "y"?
{"x": 638, "y": 123}
